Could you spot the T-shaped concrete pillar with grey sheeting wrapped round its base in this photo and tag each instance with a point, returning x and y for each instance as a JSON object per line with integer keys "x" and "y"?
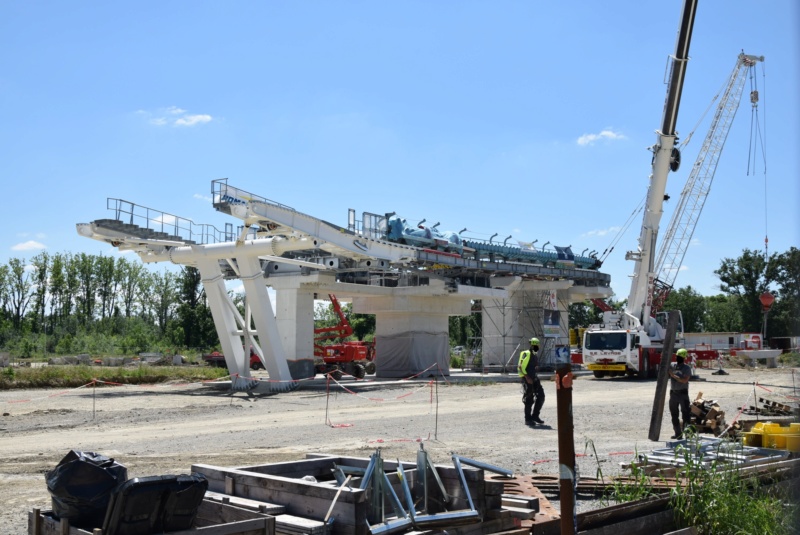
{"x": 412, "y": 332}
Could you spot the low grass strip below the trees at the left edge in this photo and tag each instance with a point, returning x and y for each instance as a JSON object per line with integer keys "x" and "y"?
{"x": 71, "y": 376}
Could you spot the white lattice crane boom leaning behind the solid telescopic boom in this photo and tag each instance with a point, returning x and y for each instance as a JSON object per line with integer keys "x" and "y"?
{"x": 684, "y": 219}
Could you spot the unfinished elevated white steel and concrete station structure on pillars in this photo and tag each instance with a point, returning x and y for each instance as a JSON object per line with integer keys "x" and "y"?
{"x": 413, "y": 280}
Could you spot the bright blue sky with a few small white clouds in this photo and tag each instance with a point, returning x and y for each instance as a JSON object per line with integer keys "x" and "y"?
{"x": 520, "y": 118}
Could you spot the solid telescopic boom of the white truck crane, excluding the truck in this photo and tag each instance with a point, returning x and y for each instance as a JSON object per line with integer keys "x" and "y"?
{"x": 666, "y": 157}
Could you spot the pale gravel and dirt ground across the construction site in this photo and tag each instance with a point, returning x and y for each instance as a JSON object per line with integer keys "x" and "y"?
{"x": 166, "y": 429}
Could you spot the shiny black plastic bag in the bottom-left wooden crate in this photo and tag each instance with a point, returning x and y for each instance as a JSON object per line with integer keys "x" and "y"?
{"x": 81, "y": 486}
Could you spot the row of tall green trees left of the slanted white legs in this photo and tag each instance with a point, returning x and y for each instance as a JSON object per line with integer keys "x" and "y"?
{"x": 67, "y": 303}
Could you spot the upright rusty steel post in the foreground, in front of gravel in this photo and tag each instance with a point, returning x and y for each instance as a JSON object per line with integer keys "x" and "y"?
{"x": 566, "y": 449}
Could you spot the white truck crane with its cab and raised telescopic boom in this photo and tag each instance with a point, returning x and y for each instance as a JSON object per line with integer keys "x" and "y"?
{"x": 613, "y": 347}
